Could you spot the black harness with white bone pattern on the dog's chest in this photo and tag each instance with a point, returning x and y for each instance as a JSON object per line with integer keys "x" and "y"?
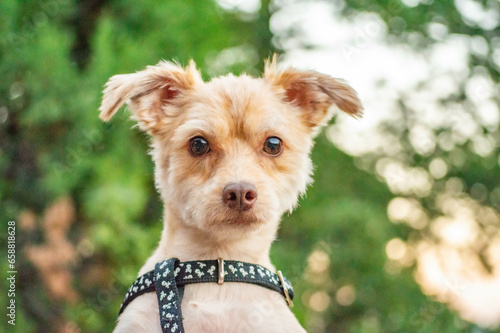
{"x": 170, "y": 276}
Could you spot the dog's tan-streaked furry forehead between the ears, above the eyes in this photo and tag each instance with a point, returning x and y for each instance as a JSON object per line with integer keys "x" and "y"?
{"x": 237, "y": 106}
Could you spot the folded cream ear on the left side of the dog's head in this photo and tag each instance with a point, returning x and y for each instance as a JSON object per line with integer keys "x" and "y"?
{"x": 148, "y": 92}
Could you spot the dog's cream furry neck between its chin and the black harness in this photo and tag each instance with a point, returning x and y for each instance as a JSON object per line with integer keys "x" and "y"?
{"x": 186, "y": 243}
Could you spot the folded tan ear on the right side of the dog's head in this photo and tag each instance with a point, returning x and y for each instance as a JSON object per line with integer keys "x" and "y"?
{"x": 314, "y": 93}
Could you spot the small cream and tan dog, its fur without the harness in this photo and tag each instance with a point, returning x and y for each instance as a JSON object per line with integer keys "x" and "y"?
{"x": 231, "y": 156}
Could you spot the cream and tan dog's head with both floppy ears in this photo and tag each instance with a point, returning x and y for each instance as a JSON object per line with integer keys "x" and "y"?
{"x": 232, "y": 154}
